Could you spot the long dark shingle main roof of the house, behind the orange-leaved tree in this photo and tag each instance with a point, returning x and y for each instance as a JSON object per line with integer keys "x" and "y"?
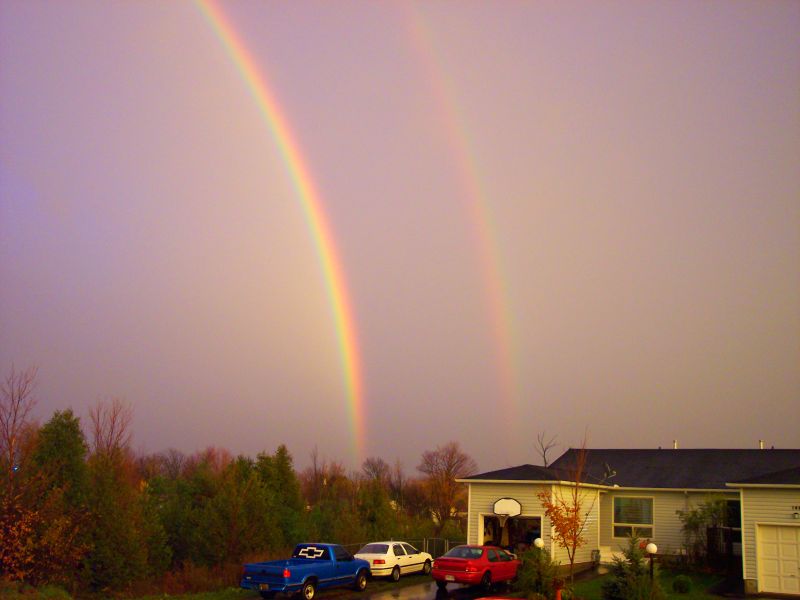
{"x": 681, "y": 469}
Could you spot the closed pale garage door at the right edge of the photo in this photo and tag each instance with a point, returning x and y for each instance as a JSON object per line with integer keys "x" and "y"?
{"x": 779, "y": 559}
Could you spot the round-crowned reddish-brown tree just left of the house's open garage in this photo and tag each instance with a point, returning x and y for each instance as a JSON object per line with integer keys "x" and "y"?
{"x": 442, "y": 467}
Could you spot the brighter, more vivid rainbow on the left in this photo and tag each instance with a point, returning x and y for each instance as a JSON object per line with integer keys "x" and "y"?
{"x": 297, "y": 168}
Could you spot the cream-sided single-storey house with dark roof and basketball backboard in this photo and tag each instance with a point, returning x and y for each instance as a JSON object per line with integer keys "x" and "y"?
{"x": 638, "y": 492}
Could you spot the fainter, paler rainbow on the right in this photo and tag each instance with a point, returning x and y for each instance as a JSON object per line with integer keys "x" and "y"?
{"x": 476, "y": 202}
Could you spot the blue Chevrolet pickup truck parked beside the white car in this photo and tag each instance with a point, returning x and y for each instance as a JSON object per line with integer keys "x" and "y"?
{"x": 312, "y": 566}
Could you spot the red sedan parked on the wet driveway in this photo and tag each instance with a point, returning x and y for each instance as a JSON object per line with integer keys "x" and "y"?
{"x": 475, "y": 565}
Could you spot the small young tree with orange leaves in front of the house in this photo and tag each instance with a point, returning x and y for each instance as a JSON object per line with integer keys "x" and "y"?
{"x": 568, "y": 512}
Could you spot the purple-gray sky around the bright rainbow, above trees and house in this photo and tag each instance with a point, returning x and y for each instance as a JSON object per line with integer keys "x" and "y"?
{"x": 550, "y": 216}
